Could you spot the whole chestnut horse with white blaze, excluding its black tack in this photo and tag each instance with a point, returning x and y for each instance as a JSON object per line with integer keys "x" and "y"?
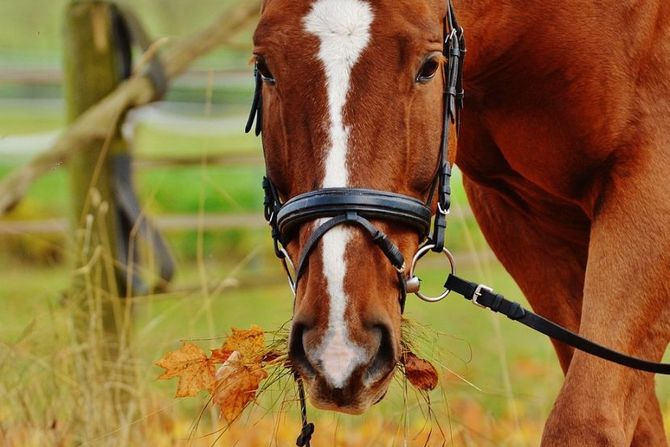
{"x": 565, "y": 146}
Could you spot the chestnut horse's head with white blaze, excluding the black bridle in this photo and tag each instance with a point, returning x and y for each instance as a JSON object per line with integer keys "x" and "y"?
{"x": 351, "y": 96}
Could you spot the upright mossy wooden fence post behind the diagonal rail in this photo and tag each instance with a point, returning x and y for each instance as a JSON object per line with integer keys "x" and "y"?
{"x": 96, "y": 61}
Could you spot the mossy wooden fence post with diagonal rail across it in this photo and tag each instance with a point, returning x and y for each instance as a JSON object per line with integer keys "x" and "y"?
{"x": 109, "y": 230}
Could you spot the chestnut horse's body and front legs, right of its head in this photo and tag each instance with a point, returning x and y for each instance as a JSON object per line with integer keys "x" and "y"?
{"x": 565, "y": 149}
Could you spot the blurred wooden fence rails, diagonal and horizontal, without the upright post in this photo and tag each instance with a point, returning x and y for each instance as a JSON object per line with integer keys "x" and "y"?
{"x": 177, "y": 61}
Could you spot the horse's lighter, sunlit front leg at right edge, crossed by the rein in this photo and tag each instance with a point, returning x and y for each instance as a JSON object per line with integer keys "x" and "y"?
{"x": 626, "y": 307}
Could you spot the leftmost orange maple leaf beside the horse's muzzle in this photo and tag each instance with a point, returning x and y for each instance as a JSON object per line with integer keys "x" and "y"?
{"x": 191, "y": 365}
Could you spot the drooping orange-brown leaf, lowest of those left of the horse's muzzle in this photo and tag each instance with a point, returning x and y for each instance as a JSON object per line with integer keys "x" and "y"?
{"x": 236, "y": 386}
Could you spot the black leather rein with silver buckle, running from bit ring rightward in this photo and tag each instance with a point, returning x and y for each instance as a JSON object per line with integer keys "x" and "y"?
{"x": 485, "y": 297}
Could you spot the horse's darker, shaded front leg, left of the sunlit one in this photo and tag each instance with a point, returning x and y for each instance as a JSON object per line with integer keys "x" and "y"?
{"x": 548, "y": 268}
